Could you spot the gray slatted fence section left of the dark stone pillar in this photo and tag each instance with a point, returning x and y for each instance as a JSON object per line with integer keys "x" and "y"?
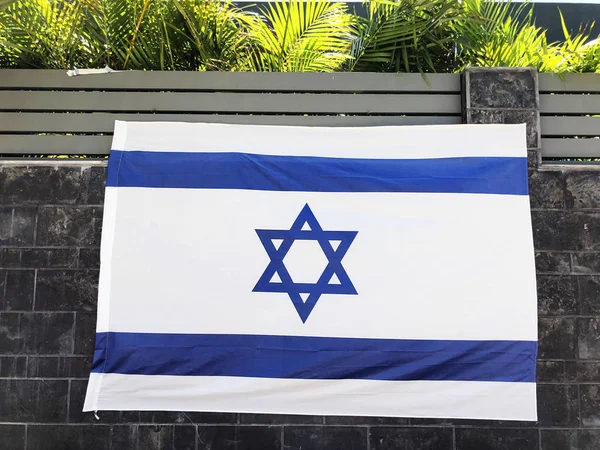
{"x": 45, "y": 112}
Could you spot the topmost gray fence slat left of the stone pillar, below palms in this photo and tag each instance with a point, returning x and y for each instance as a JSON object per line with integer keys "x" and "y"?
{"x": 230, "y": 81}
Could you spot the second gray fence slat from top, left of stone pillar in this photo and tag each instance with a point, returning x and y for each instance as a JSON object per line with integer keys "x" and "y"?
{"x": 229, "y": 102}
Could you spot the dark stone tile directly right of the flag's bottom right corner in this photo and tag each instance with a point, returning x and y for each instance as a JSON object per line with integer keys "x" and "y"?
{"x": 557, "y": 405}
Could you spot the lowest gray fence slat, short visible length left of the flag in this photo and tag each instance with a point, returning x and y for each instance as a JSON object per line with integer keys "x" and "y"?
{"x": 54, "y": 145}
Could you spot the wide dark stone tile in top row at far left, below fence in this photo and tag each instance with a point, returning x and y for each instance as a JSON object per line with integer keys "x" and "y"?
{"x": 43, "y": 184}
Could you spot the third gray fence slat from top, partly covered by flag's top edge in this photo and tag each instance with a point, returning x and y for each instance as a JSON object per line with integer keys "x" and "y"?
{"x": 104, "y": 122}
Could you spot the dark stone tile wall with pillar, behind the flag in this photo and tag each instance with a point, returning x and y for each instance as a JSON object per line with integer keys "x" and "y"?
{"x": 50, "y": 225}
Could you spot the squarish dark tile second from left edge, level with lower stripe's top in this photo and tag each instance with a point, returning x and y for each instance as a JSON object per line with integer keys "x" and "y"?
{"x": 47, "y": 333}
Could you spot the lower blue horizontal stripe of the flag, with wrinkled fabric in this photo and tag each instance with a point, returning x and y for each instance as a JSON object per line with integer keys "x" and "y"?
{"x": 314, "y": 357}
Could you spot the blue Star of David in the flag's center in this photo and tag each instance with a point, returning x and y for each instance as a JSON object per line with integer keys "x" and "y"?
{"x": 324, "y": 284}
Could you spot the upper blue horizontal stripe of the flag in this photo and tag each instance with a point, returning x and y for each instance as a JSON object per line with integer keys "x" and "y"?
{"x": 489, "y": 175}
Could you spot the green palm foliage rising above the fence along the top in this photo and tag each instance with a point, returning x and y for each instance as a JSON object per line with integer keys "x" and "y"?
{"x": 286, "y": 36}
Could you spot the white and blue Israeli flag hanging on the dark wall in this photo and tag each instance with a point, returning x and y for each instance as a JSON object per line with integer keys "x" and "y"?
{"x": 377, "y": 271}
